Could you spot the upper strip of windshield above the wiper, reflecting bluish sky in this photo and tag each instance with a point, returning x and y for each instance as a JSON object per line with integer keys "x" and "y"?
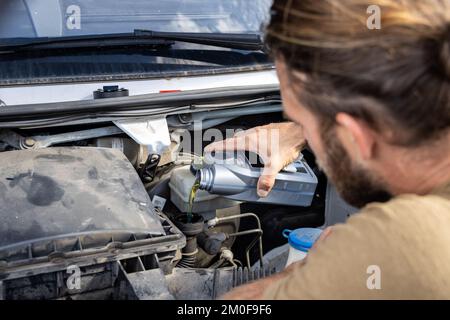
{"x": 54, "y": 18}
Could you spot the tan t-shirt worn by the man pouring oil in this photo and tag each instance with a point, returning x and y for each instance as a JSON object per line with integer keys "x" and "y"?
{"x": 394, "y": 250}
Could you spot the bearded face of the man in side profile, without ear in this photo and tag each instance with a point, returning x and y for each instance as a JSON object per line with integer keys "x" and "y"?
{"x": 356, "y": 184}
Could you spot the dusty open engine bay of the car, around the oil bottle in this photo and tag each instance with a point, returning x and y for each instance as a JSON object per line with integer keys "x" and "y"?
{"x": 93, "y": 197}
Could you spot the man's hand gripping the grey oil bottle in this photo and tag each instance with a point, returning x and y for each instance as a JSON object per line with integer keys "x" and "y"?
{"x": 277, "y": 144}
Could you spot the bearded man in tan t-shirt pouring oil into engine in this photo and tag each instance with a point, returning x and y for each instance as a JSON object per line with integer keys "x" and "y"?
{"x": 374, "y": 106}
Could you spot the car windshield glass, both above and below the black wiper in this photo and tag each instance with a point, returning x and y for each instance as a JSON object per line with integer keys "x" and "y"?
{"x": 66, "y": 18}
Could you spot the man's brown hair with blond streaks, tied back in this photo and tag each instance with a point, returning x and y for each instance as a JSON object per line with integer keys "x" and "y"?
{"x": 396, "y": 78}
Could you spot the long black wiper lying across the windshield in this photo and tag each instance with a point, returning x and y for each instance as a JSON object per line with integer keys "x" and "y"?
{"x": 155, "y": 39}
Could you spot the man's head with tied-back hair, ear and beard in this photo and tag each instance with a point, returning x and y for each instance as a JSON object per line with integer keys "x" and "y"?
{"x": 365, "y": 98}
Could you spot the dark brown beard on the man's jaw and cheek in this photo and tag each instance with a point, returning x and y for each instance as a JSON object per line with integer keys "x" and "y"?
{"x": 356, "y": 185}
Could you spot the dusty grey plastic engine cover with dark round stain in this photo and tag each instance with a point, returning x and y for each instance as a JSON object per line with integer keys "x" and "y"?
{"x": 56, "y": 192}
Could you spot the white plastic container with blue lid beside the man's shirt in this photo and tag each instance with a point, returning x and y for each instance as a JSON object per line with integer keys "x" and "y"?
{"x": 300, "y": 241}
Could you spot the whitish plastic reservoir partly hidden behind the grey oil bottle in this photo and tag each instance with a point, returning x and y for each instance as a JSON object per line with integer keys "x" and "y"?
{"x": 181, "y": 182}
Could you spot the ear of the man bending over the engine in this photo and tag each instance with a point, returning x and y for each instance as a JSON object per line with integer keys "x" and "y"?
{"x": 357, "y": 135}
